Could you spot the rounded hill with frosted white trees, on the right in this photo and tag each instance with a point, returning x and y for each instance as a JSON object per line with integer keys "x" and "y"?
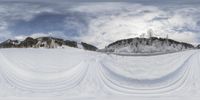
{"x": 147, "y": 45}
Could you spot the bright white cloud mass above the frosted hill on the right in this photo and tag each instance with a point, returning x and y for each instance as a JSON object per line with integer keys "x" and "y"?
{"x": 119, "y": 21}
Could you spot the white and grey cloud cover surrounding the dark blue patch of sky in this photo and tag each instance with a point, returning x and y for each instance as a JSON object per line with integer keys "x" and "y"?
{"x": 108, "y": 22}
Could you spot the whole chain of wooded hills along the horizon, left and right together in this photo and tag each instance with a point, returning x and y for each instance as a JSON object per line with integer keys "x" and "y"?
{"x": 130, "y": 45}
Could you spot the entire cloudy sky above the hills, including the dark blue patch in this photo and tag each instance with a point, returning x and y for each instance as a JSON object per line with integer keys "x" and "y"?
{"x": 100, "y": 22}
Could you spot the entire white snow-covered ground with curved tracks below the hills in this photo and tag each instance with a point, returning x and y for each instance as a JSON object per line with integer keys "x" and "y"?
{"x": 72, "y": 73}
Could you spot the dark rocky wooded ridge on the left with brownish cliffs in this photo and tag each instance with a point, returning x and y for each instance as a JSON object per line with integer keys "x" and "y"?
{"x": 45, "y": 42}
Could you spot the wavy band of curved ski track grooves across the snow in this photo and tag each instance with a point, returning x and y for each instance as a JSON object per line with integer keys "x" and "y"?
{"x": 104, "y": 79}
